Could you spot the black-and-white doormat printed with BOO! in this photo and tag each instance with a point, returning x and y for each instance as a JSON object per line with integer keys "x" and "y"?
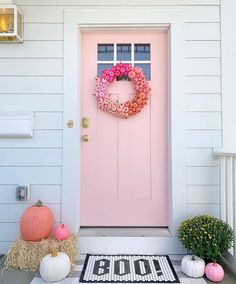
{"x": 128, "y": 269}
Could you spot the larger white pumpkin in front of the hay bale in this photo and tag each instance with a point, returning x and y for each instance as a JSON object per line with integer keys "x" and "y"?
{"x": 55, "y": 266}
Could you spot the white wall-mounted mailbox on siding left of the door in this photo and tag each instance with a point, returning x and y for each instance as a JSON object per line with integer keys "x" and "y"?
{"x": 18, "y": 125}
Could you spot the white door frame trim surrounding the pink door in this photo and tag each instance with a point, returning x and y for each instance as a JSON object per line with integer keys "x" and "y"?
{"x": 158, "y": 18}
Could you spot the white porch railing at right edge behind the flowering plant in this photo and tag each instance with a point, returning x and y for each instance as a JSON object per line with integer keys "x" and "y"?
{"x": 228, "y": 190}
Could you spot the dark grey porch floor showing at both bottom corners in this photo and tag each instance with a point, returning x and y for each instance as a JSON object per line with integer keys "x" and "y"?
{"x": 21, "y": 277}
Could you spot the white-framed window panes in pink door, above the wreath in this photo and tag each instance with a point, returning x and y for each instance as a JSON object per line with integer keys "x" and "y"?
{"x": 137, "y": 54}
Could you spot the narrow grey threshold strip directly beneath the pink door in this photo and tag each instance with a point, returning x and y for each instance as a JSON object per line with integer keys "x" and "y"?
{"x": 123, "y": 232}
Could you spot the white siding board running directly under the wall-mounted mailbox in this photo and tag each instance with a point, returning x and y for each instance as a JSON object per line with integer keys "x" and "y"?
{"x": 41, "y": 139}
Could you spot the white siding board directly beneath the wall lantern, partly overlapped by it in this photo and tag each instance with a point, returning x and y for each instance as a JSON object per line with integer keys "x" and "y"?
{"x": 32, "y": 49}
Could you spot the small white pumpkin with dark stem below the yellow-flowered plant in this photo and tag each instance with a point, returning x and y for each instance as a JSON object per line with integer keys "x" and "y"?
{"x": 193, "y": 266}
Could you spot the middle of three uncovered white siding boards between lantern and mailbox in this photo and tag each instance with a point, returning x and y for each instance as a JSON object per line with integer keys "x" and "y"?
{"x": 30, "y": 85}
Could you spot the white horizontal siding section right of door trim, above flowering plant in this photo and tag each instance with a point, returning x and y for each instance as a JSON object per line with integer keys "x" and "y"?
{"x": 203, "y": 116}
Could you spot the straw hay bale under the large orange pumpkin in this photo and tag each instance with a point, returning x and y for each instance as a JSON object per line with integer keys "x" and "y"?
{"x": 27, "y": 255}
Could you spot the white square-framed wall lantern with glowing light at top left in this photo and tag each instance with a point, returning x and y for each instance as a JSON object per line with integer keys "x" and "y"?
{"x": 11, "y": 23}
